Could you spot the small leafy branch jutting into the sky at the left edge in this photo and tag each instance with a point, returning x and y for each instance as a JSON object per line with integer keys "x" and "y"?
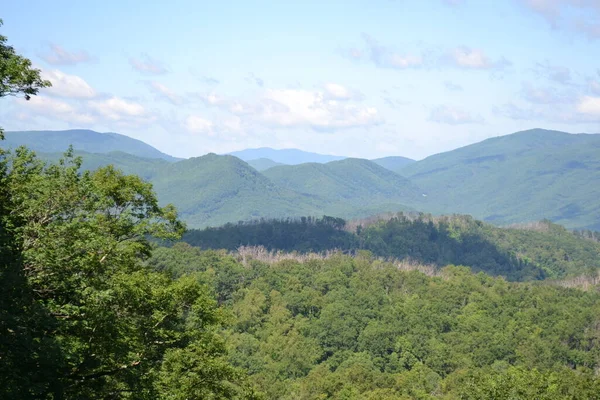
{"x": 17, "y": 77}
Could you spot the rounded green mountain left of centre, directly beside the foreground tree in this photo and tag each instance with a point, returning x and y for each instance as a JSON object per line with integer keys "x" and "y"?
{"x": 213, "y": 190}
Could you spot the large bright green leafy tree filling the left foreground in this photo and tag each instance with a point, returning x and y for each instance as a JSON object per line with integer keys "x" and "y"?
{"x": 81, "y": 315}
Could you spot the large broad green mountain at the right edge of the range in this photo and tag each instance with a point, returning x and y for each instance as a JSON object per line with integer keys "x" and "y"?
{"x": 525, "y": 176}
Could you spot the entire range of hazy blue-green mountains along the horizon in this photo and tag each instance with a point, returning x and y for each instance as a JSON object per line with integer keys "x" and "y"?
{"x": 525, "y": 176}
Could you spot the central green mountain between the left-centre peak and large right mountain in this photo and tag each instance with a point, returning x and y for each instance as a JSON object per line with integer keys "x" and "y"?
{"x": 351, "y": 182}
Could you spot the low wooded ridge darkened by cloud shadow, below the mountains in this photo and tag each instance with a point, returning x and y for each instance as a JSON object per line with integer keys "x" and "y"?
{"x": 538, "y": 251}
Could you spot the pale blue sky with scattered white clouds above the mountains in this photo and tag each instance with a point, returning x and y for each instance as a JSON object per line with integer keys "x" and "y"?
{"x": 359, "y": 78}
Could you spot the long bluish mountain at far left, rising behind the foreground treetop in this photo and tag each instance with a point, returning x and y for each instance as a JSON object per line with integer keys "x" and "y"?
{"x": 82, "y": 140}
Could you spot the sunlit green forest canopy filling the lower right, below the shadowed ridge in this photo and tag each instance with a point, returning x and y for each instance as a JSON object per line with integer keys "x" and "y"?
{"x": 358, "y": 328}
